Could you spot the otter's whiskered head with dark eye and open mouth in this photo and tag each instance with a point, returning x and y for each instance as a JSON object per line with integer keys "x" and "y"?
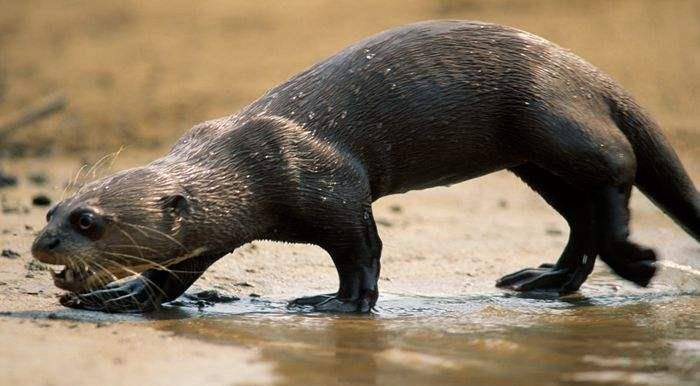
{"x": 115, "y": 227}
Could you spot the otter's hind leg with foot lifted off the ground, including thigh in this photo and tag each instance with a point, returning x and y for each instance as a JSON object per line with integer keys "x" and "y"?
{"x": 591, "y": 154}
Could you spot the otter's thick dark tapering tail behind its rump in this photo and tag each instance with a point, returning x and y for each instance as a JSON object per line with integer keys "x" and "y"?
{"x": 660, "y": 174}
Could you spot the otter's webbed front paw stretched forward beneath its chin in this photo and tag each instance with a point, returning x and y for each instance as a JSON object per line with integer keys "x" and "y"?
{"x": 134, "y": 296}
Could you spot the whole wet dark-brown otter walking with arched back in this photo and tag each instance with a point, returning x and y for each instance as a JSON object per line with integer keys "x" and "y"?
{"x": 414, "y": 107}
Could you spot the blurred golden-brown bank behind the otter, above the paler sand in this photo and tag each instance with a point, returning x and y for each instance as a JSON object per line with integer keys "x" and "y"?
{"x": 139, "y": 73}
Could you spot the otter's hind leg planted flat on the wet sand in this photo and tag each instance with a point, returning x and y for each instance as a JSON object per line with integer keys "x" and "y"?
{"x": 577, "y": 260}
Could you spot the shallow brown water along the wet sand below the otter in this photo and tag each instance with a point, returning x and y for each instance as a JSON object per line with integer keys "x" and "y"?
{"x": 605, "y": 335}
